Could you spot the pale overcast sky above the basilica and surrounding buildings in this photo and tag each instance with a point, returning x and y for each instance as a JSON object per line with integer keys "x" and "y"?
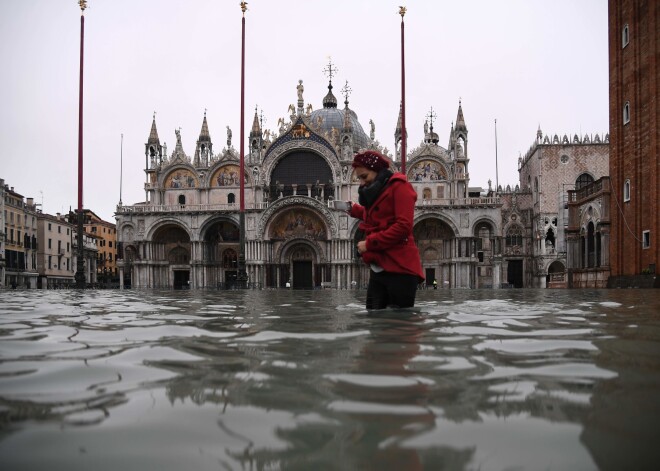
{"x": 523, "y": 62}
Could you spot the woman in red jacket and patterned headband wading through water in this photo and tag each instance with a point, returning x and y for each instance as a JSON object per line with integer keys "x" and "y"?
{"x": 387, "y": 207}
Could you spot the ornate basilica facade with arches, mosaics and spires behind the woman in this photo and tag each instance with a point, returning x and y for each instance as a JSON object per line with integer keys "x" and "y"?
{"x": 187, "y": 232}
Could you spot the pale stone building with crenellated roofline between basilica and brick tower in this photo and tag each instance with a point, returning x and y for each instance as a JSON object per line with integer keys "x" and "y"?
{"x": 552, "y": 166}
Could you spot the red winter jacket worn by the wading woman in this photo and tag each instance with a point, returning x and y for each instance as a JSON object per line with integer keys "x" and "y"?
{"x": 388, "y": 225}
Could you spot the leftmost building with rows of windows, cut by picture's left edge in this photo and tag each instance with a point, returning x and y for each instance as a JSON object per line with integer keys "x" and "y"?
{"x": 20, "y": 240}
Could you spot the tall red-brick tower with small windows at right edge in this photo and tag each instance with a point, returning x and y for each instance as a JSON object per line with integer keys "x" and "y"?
{"x": 634, "y": 160}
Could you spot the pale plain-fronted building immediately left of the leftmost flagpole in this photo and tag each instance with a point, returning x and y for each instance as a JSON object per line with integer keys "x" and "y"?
{"x": 55, "y": 253}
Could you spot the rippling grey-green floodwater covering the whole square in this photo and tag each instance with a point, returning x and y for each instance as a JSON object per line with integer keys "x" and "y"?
{"x": 308, "y": 380}
